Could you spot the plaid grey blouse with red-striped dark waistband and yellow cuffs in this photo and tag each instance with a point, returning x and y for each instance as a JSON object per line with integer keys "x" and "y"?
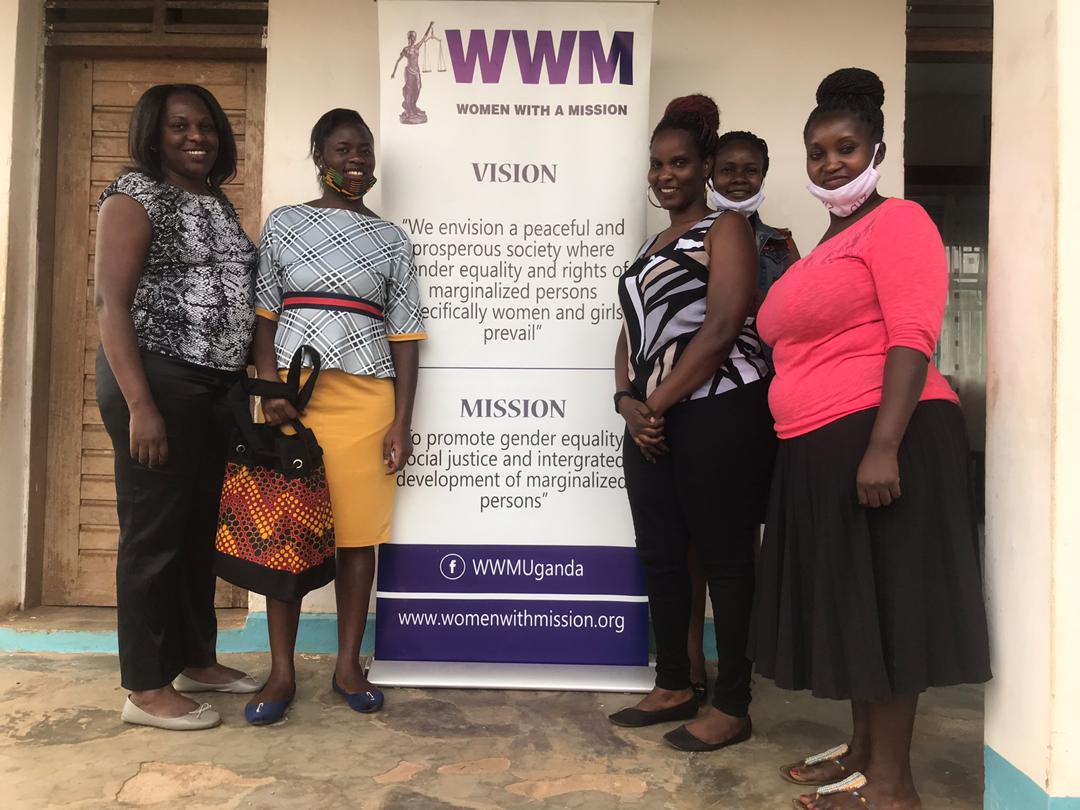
{"x": 342, "y": 282}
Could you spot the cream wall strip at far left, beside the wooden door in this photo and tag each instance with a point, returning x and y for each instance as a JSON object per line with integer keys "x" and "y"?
{"x": 20, "y": 130}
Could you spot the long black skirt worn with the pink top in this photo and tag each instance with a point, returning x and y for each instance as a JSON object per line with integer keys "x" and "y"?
{"x": 868, "y": 604}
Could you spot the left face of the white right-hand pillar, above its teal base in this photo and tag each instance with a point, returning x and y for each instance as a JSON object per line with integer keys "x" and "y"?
{"x": 1019, "y": 387}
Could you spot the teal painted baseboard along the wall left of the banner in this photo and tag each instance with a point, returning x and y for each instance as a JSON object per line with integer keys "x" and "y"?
{"x": 318, "y": 634}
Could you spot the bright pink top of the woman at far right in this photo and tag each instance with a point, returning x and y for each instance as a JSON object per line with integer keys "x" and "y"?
{"x": 836, "y": 314}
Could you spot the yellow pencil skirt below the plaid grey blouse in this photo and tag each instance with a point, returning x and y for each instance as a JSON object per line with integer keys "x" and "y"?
{"x": 350, "y": 416}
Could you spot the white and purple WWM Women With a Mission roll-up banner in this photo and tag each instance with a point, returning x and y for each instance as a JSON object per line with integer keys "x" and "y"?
{"x": 512, "y": 145}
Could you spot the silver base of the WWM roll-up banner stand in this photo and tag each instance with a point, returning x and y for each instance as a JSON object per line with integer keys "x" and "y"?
{"x": 472, "y": 676}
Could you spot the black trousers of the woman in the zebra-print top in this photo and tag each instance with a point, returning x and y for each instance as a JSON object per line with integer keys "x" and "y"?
{"x": 711, "y": 491}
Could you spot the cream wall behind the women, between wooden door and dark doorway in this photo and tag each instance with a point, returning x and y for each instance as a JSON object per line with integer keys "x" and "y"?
{"x": 761, "y": 62}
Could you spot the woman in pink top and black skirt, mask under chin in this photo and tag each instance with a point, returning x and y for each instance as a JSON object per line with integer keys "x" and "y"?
{"x": 869, "y": 584}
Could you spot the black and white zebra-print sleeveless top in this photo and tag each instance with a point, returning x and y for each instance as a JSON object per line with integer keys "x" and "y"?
{"x": 664, "y": 304}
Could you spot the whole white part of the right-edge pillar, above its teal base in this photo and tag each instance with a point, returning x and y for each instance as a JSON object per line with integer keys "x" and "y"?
{"x": 1033, "y": 522}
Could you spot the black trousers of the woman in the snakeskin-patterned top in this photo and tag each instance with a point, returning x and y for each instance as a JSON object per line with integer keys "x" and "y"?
{"x": 168, "y": 517}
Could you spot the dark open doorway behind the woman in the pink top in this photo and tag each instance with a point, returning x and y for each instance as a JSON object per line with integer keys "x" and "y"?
{"x": 948, "y": 171}
